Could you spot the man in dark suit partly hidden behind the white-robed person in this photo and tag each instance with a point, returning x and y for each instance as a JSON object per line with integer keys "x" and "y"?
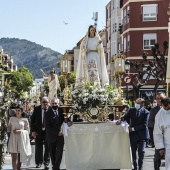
{"x": 151, "y": 122}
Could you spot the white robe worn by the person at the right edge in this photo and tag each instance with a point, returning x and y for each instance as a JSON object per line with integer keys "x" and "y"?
{"x": 162, "y": 134}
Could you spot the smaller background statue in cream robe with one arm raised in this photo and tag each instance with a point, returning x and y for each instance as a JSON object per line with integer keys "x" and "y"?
{"x": 53, "y": 83}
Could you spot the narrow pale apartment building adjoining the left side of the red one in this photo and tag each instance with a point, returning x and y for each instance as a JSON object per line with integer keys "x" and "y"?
{"x": 113, "y": 24}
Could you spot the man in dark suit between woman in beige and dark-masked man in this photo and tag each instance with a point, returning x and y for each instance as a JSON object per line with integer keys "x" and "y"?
{"x": 38, "y": 132}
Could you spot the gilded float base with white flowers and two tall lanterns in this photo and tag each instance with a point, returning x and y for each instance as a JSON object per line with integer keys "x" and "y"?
{"x": 90, "y": 103}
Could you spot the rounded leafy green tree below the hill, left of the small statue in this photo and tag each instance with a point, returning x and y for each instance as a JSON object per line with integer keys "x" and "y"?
{"x": 20, "y": 81}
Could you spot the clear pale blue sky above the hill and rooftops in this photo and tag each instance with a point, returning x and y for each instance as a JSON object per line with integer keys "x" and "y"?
{"x": 41, "y": 21}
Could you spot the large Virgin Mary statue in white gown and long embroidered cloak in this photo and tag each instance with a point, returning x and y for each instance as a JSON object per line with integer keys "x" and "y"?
{"x": 91, "y": 62}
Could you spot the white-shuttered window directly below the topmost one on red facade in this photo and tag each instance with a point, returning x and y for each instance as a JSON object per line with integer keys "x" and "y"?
{"x": 149, "y": 40}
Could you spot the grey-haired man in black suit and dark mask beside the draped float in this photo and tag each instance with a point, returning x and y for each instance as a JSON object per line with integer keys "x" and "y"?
{"x": 53, "y": 121}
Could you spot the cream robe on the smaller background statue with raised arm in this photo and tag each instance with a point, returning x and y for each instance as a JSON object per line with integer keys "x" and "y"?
{"x": 53, "y": 86}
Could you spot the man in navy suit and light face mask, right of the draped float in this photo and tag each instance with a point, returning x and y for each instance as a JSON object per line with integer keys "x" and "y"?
{"x": 137, "y": 117}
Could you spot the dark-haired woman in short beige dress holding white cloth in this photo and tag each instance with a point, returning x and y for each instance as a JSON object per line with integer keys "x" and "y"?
{"x": 18, "y": 126}
